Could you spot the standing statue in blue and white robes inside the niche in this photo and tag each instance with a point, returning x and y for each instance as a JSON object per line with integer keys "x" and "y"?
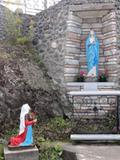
{"x": 92, "y": 53}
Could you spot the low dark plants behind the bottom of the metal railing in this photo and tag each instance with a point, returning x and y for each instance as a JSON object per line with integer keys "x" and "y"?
{"x": 106, "y": 124}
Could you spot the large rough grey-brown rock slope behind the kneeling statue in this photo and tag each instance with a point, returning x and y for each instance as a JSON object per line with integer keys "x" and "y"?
{"x": 23, "y": 81}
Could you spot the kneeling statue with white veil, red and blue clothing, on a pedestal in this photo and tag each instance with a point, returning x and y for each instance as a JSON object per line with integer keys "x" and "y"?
{"x": 25, "y": 137}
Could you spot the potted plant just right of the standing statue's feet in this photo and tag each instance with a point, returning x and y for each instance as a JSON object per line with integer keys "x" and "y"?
{"x": 103, "y": 76}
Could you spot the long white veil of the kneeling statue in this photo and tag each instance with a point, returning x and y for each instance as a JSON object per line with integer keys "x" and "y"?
{"x": 24, "y": 110}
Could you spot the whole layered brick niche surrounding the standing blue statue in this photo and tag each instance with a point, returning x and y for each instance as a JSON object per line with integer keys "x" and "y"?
{"x": 102, "y": 18}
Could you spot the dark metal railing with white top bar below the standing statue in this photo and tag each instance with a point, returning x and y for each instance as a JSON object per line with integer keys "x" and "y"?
{"x": 95, "y": 111}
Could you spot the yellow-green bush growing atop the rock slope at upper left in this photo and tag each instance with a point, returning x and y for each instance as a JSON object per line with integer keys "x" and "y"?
{"x": 14, "y": 28}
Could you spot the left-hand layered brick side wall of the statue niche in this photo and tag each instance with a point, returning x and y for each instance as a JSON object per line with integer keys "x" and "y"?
{"x": 72, "y": 52}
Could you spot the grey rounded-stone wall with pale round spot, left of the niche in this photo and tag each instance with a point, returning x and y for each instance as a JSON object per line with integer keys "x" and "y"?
{"x": 51, "y": 32}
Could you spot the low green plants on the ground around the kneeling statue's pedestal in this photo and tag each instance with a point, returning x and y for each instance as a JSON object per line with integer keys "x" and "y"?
{"x": 44, "y": 134}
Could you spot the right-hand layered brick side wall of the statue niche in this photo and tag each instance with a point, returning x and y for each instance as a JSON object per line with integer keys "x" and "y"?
{"x": 110, "y": 44}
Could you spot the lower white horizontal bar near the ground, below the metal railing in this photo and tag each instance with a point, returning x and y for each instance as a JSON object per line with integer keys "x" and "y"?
{"x": 95, "y": 137}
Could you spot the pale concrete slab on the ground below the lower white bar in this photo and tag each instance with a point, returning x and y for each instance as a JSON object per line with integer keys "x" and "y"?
{"x": 91, "y": 152}
